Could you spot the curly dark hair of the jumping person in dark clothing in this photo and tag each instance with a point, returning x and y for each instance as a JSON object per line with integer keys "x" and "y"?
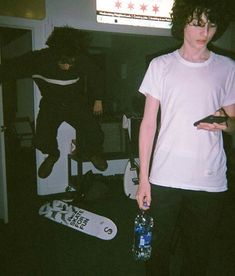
{"x": 68, "y": 41}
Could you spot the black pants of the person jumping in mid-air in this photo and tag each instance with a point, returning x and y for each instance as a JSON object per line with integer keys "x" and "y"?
{"x": 79, "y": 116}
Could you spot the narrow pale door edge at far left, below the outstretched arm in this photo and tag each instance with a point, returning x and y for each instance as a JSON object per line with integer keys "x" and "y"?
{"x": 3, "y": 182}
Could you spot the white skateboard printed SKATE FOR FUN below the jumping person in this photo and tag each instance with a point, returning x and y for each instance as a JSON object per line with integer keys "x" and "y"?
{"x": 79, "y": 219}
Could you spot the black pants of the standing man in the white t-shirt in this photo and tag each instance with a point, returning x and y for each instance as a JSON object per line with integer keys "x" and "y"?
{"x": 194, "y": 215}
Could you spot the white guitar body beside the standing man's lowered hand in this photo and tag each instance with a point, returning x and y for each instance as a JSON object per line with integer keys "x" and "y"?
{"x": 131, "y": 180}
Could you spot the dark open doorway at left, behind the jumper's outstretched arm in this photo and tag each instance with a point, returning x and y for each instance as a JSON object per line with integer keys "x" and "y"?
{"x": 18, "y": 103}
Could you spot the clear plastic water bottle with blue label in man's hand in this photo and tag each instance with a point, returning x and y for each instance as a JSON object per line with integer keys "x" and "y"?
{"x": 143, "y": 227}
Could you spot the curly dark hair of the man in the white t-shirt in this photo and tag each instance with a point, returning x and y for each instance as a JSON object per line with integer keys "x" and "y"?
{"x": 217, "y": 11}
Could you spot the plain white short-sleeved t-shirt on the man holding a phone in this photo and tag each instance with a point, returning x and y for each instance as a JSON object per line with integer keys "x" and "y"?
{"x": 186, "y": 157}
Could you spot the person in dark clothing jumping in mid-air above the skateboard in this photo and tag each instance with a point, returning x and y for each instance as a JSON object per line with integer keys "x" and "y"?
{"x": 65, "y": 76}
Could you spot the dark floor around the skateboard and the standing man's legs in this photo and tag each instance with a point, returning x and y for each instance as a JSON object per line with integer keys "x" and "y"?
{"x": 33, "y": 245}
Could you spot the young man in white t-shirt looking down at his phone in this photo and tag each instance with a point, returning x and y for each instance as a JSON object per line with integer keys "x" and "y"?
{"x": 188, "y": 170}
